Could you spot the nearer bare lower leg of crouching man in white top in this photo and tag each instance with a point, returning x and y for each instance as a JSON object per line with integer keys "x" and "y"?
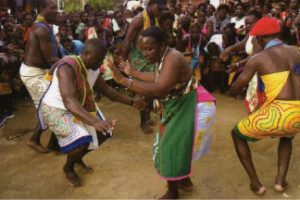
{"x": 73, "y": 157}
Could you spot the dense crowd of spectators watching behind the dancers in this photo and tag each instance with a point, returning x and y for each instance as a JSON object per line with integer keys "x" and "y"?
{"x": 201, "y": 32}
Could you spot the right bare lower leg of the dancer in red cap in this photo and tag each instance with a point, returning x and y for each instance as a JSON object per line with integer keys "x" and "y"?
{"x": 284, "y": 157}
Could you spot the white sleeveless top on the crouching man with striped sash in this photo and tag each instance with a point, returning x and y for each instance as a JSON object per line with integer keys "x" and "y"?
{"x": 53, "y": 98}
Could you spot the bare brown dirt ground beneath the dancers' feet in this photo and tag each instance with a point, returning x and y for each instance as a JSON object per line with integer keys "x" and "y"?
{"x": 123, "y": 165}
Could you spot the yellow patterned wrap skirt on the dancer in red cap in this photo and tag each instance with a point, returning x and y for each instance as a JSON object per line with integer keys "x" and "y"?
{"x": 277, "y": 119}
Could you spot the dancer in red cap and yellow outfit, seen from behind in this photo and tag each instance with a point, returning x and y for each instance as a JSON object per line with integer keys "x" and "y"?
{"x": 278, "y": 66}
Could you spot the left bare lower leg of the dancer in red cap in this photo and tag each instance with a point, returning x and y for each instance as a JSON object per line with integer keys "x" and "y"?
{"x": 244, "y": 154}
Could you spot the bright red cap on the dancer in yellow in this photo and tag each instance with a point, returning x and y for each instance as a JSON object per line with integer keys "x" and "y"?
{"x": 265, "y": 26}
